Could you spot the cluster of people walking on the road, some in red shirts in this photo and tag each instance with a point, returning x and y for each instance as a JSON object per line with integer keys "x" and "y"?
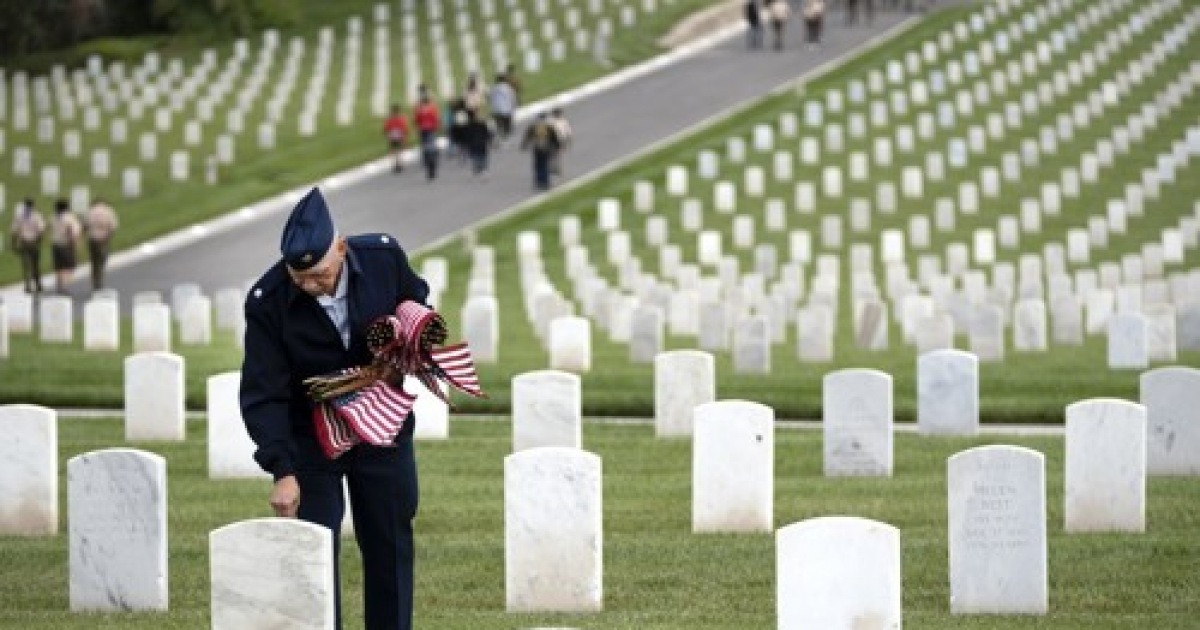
{"x": 476, "y": 124}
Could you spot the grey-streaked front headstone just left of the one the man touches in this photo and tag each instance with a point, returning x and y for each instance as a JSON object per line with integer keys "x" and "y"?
{"x": 117, "y": 501}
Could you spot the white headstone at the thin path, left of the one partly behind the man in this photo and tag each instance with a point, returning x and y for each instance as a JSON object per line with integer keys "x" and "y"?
{"x": 154, "y": 398}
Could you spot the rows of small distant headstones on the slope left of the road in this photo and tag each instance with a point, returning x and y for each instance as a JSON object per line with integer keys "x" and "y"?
{"x": 236, "y": 118}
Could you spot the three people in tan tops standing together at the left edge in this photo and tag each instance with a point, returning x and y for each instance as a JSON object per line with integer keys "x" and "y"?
{"x": 67, "y": 230}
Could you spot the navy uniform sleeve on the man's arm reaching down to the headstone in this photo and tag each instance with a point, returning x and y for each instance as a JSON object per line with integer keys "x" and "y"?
{"x": 266, "y": 394}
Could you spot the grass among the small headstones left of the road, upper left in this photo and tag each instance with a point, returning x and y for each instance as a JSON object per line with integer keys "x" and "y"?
{"x": 167, "y": 206}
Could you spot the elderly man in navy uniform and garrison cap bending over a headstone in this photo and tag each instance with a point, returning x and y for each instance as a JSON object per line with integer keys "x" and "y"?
{"x": 307, "y": 317}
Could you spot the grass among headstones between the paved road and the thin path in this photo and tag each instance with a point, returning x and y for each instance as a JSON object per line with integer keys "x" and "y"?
{"x": 1024, "y": 388}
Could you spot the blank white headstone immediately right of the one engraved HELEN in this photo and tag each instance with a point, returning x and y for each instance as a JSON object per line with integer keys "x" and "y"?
{"x": 1106, "y": 466}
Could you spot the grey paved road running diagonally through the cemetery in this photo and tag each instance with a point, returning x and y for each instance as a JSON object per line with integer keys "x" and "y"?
{"x": 610, "y": 125}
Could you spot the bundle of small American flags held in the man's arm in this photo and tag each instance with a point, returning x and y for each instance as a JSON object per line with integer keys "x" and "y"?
{"x": 369, "y": 404}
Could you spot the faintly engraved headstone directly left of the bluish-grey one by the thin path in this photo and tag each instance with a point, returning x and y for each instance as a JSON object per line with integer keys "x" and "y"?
{"x": 857, "y": 423}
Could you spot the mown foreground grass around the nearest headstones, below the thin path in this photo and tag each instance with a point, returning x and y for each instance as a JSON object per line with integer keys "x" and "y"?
{"x": 657, "y": 574}
